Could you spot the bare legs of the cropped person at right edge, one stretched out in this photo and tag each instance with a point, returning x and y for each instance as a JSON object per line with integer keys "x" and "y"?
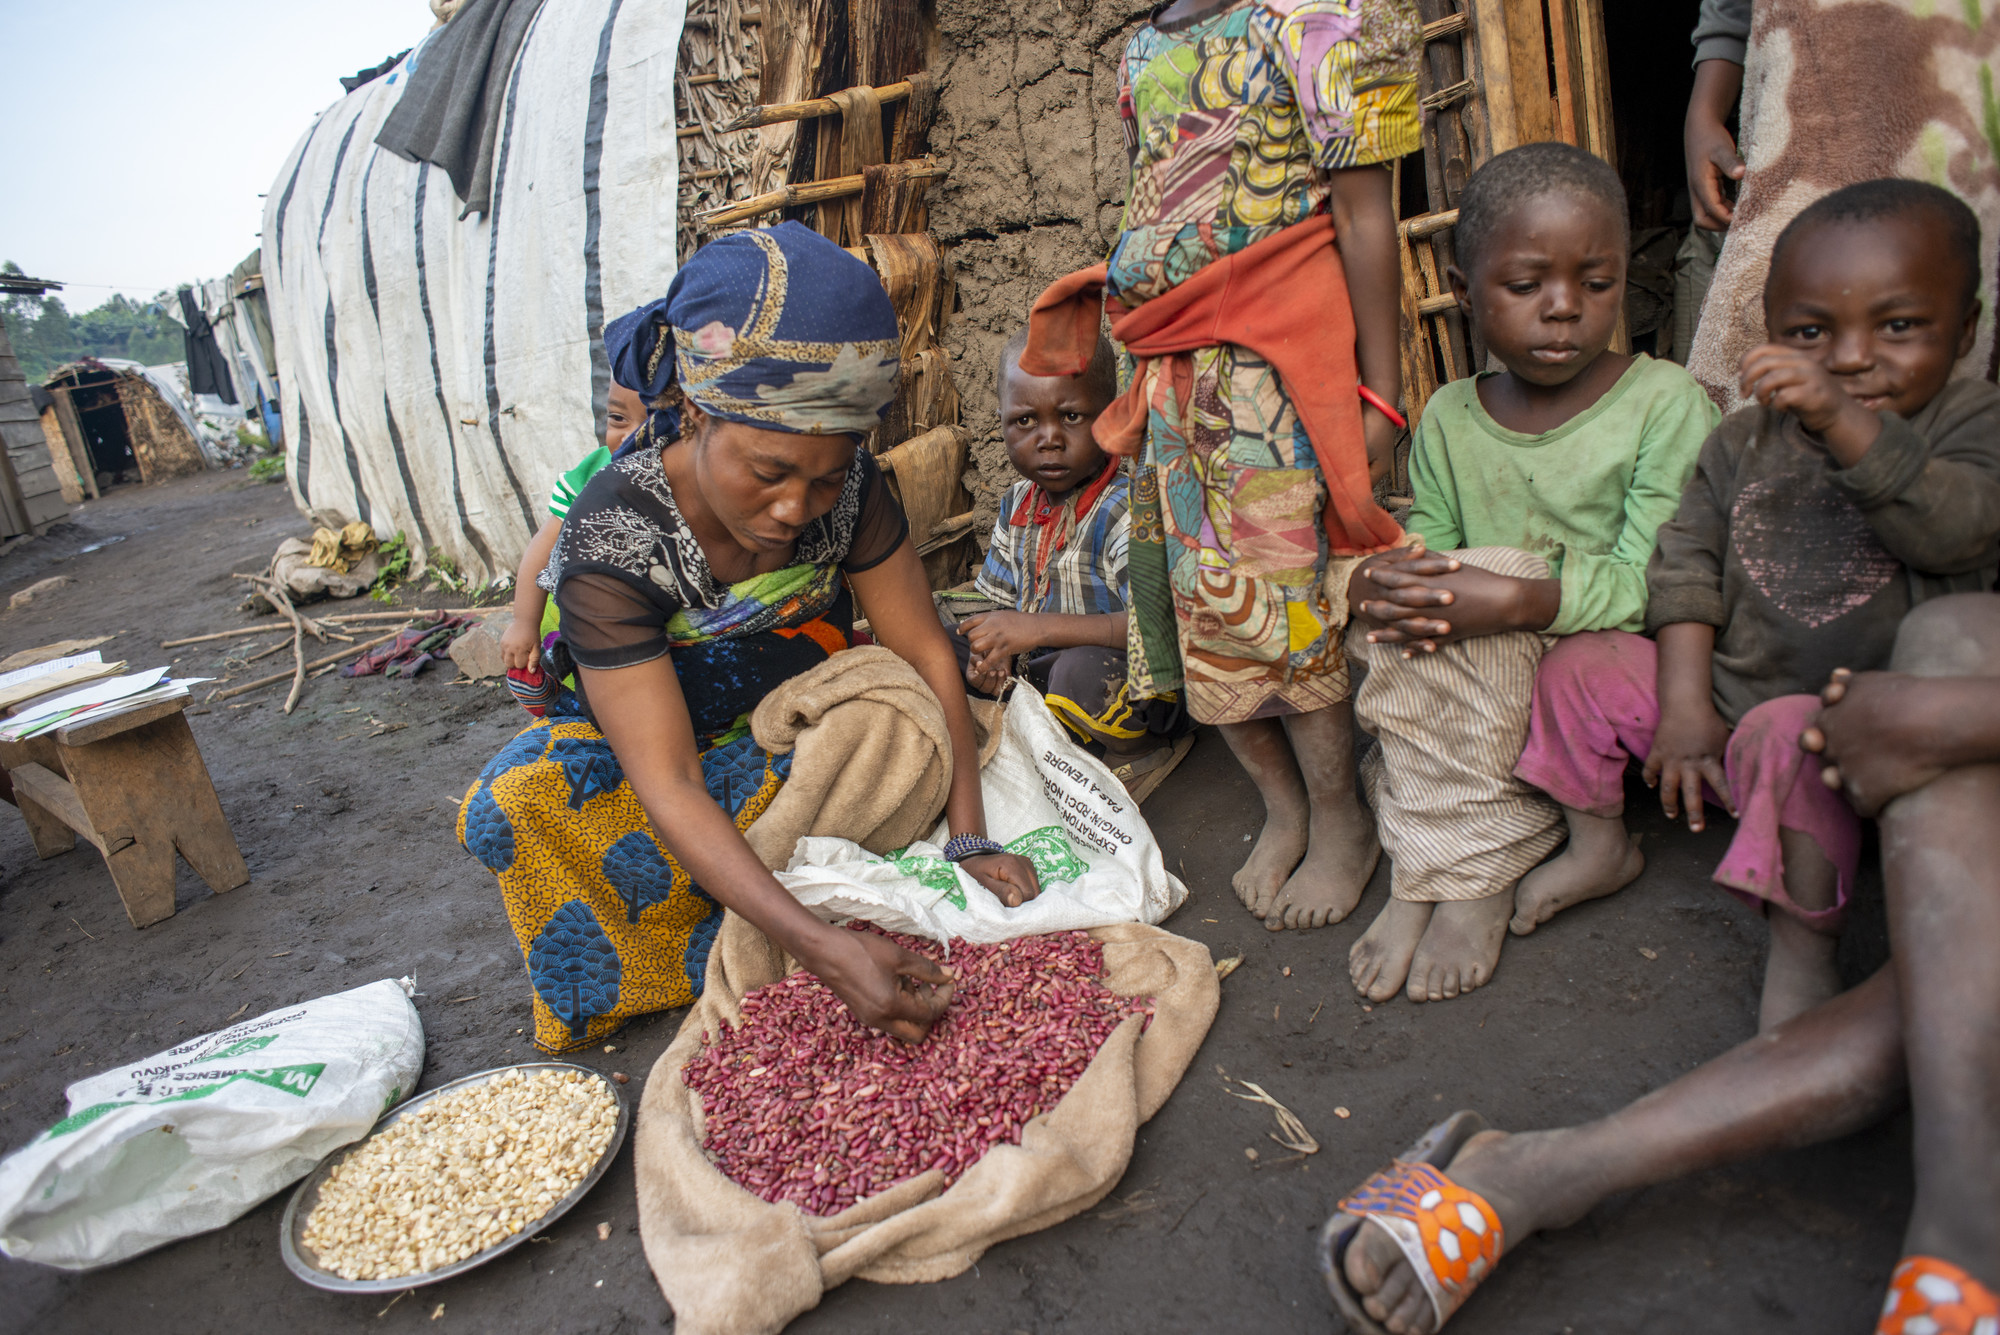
{"x": 1929, "y": 1020}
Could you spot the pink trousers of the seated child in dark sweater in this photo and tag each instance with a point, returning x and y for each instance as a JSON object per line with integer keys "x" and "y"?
{"x": 1597, "y": 708}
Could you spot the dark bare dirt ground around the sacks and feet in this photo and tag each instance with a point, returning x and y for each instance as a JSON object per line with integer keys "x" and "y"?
{"x": 357, "y": 876}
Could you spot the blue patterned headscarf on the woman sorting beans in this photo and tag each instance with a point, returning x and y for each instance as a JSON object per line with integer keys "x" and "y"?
{"x": 777, "y": 327}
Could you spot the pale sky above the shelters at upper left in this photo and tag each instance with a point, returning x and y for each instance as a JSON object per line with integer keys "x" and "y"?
{"x": 141, "y": 137}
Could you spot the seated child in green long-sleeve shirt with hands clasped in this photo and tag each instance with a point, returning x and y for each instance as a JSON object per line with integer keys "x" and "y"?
{"x": 1539, "y": 493}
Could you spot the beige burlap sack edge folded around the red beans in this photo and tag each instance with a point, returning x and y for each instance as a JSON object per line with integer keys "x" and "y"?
{"x": 733, "y": 1264}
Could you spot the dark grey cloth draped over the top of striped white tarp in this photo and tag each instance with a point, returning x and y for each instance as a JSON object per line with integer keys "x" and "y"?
{"x": 451, "y": 109}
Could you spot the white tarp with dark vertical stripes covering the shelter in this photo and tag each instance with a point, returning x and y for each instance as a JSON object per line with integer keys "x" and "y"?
{"x": 439, "y": 375}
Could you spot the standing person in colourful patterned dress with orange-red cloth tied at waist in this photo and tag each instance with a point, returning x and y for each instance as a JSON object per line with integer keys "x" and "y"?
{"x": 1257, "y": 297}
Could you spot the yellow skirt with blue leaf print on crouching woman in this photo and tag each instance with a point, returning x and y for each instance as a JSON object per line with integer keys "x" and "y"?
{"x": 609, "y": 924}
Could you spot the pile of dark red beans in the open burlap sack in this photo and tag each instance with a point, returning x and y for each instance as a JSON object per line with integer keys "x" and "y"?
{"x": 805, "y": 1104}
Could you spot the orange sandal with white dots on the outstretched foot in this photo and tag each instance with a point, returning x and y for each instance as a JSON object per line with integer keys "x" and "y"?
{"x": 1449, "y": 1236}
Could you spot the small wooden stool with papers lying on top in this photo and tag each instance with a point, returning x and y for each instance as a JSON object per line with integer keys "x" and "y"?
{"x": 135, "y": 786}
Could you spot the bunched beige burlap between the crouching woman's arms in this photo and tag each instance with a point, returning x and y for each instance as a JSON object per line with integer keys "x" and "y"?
{"x": 873, "y": 760}
